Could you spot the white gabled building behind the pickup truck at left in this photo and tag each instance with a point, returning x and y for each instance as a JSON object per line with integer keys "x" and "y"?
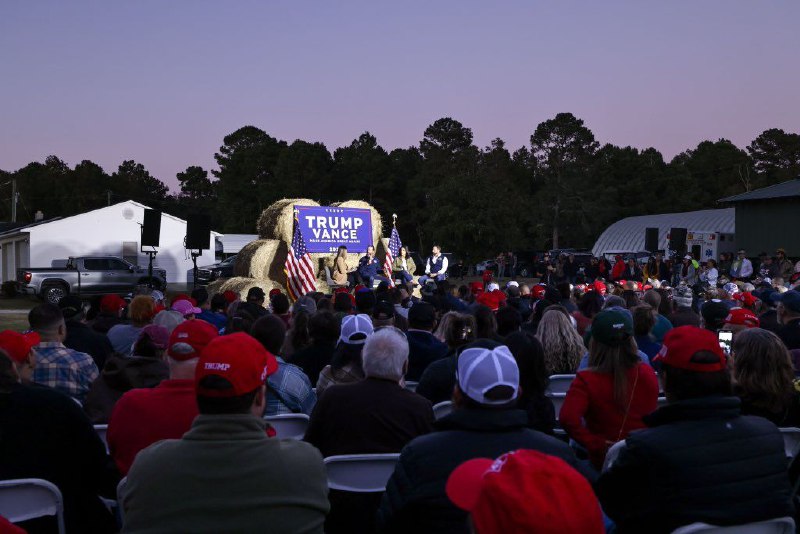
{"x": 111, "y": 231}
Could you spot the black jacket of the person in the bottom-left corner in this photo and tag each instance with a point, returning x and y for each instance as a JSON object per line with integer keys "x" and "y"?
{"x": 44, "y": 434}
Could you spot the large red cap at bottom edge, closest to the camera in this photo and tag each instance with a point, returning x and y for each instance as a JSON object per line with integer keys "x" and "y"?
{"x": 525, "y": 491}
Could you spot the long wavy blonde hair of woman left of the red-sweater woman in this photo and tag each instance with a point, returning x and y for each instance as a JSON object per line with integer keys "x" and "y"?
{"x": 563, "y": 346}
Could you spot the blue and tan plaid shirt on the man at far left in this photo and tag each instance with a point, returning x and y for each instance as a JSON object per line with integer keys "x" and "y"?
{"x": 63, "y": 369}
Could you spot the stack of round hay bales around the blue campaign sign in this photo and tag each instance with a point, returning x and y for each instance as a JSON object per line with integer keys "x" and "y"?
{"x": 261, "y": 262}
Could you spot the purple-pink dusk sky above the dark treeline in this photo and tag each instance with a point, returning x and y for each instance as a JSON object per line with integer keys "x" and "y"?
{"x": 162, "y": 82}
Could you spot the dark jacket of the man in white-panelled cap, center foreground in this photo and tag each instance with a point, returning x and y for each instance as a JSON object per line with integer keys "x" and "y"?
{"x": 415, "y": 499}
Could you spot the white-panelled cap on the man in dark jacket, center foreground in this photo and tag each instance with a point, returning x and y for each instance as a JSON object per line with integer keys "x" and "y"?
{"x": 479, "y": 370}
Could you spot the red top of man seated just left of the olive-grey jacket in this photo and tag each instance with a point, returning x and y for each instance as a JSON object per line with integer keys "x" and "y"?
{"x": 143, "y": 416}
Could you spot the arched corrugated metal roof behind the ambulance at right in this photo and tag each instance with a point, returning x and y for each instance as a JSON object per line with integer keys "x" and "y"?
{"x": 628, "y": 234}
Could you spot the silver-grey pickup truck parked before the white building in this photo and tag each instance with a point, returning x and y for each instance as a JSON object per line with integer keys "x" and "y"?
{"x": 87, "y": 275}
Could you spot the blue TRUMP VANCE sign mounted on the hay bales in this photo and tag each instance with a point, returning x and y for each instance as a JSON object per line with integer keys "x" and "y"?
{"x": 326, "y": 228}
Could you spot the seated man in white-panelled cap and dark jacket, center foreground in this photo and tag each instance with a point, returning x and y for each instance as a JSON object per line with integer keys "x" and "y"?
{"x": 484, "y": 424}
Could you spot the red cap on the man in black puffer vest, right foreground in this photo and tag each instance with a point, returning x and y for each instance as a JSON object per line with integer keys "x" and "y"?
{"x": 681, "y": 343}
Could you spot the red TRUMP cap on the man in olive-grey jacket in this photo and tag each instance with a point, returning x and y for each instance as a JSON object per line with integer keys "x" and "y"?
{"x": 239, "y": 359}
